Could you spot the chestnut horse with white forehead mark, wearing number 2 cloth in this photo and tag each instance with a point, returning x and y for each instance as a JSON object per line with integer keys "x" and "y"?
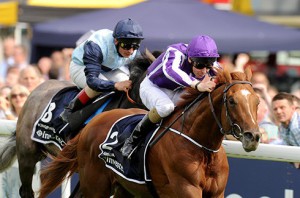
{"x": 188, "y": 161}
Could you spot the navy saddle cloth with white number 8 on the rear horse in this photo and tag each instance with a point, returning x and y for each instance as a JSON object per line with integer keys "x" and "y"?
{"x": 50, "y": 128}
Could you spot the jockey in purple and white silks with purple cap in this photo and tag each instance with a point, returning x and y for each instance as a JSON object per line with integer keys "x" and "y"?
{"x": 180, "y": 65}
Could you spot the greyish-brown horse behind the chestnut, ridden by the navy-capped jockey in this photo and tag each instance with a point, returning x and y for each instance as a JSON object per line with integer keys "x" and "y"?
{"x": 29, "y": 152}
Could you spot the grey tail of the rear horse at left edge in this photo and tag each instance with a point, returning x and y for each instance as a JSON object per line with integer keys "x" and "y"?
{"x": 8, "y": 152}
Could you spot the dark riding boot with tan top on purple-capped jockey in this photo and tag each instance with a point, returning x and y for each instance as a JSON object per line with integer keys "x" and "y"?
{"x": 147, "y": 124}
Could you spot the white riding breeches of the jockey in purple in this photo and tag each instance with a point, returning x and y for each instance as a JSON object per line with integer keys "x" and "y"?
{"x": 155, "y": 97}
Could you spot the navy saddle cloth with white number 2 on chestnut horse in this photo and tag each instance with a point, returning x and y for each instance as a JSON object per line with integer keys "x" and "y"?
{"x": 133, "y": 169}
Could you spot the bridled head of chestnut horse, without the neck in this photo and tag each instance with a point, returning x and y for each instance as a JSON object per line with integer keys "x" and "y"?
{"x": 239, "y": 111}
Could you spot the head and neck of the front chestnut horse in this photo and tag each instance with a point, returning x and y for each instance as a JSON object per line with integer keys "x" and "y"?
{"x": 230, "y": 109}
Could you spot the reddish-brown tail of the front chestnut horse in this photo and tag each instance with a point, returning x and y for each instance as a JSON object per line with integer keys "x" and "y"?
{"x": 62, "y": 166}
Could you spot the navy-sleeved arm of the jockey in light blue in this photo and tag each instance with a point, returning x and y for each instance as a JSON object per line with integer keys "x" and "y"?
{"x": 92, "y": 59}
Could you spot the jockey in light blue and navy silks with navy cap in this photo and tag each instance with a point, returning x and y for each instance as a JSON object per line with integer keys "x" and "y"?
{"x": 98, "y": 64}
